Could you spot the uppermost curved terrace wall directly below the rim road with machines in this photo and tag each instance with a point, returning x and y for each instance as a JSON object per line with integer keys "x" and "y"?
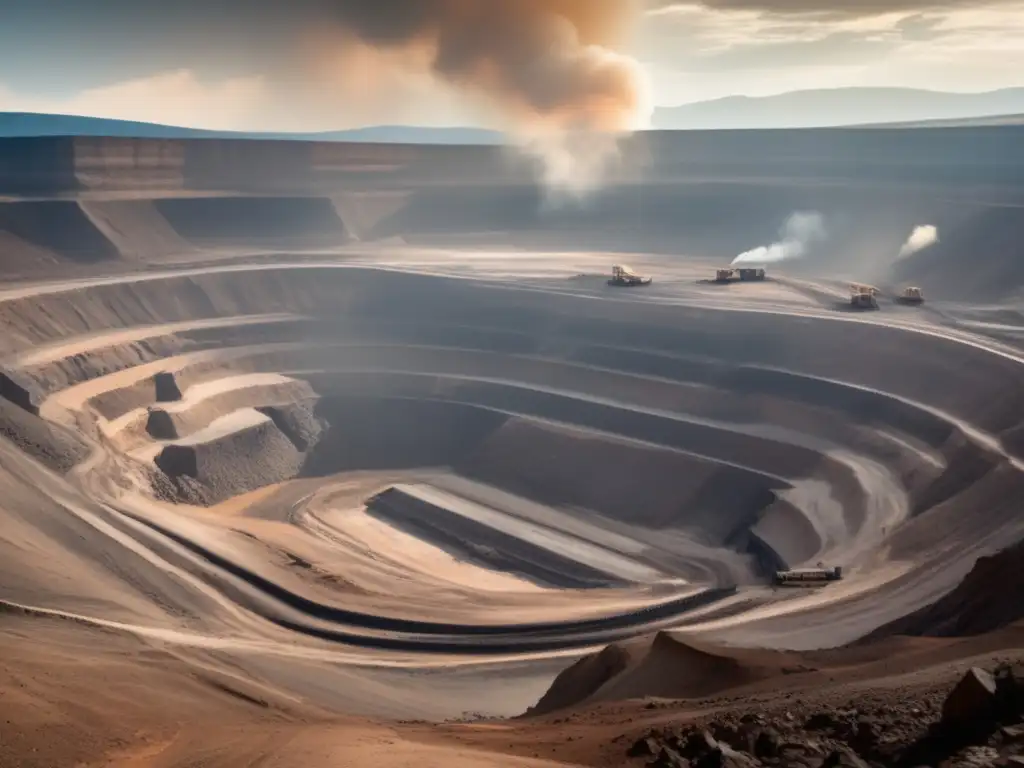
{"x": 980, "y": 388}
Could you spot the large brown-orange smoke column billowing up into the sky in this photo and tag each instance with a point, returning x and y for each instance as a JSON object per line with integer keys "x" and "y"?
{"x": 550, "y": 67}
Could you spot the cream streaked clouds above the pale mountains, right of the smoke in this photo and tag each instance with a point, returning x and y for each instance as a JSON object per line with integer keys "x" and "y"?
{"x": 707, "y": 51}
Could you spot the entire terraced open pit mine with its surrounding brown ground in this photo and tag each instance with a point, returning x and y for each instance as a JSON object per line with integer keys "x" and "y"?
{"x": 347, "y": 454}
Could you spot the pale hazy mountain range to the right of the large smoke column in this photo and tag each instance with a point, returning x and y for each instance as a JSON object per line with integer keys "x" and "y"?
{"x": 839, "y": 107}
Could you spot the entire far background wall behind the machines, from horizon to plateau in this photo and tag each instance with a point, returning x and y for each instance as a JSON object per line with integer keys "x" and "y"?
{"x": 713, "y": 194}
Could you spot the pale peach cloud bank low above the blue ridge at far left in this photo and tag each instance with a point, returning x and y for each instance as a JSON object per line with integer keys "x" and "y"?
{"x": 178, "y": 98}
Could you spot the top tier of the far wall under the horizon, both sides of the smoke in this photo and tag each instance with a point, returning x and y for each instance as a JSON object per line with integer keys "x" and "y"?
{"x": 925, "y": 158}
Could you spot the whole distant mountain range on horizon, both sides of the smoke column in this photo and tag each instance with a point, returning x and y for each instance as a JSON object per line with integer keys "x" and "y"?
{"x": 810, "y": 109}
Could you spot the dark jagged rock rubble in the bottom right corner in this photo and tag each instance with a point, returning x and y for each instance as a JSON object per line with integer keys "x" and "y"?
{"x": 980, "y": 722}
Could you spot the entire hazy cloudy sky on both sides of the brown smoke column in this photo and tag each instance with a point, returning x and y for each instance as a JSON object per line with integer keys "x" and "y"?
{"x": 289, "y": 65}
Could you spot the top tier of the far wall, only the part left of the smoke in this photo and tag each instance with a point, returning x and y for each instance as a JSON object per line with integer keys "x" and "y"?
{"x": 58, "y": 165}
